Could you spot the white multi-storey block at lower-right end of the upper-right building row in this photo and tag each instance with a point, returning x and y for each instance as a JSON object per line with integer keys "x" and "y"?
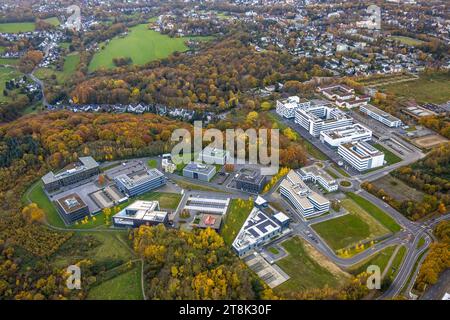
{"x": 361, "y": 155}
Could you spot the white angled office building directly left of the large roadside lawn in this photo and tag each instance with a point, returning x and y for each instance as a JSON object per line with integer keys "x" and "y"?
{"x": 307, "y": 202}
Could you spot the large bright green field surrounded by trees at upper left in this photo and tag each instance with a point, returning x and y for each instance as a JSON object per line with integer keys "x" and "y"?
{"x": 141, "y": 45}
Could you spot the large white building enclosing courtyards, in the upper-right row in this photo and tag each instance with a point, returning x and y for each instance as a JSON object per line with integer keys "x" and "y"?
{"x": 320, "y": 118}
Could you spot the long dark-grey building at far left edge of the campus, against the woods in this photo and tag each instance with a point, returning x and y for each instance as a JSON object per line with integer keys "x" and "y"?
{"x": 85, "y": 168}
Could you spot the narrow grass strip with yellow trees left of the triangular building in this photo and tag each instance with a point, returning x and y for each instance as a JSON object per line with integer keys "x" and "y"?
{"x": 238, "y": 211}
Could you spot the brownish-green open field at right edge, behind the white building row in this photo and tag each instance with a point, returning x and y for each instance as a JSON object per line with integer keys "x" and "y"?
{"x": 431, "y": 88}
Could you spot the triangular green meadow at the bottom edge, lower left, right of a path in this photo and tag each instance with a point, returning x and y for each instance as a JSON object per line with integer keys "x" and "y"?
{"x": 126, "y": 286}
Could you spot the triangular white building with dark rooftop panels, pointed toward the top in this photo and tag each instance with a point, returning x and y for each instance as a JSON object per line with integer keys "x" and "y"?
{"x": 258, "y": 229}
